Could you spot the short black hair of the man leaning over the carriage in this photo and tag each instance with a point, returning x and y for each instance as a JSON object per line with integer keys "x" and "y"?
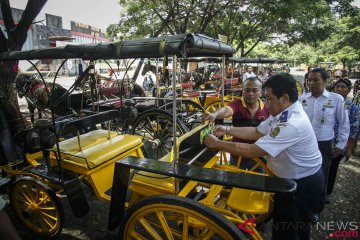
{"x": 281, "y": 84}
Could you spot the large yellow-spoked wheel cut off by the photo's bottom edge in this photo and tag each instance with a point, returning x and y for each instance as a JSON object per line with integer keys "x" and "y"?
{"x": 173, "y": 217}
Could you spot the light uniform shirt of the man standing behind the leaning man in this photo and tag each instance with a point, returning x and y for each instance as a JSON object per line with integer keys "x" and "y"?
{"x": 322, "y": 112}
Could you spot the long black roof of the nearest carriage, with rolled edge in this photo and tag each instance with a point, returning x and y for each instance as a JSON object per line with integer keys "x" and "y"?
{"x": 189, "y": 45}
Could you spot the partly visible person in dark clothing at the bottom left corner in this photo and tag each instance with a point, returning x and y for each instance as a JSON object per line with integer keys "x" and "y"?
{"x": 7, "y": 229}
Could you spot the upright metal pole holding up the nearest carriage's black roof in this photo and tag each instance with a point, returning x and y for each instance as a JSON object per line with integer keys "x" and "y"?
{"x": 174, "y": 58}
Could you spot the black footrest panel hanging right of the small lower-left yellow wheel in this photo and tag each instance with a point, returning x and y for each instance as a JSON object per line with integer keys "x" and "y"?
{"x": 76, "y": 197}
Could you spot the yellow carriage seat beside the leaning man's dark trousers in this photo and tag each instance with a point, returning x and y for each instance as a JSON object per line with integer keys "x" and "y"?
{"x": 249, "y": 201}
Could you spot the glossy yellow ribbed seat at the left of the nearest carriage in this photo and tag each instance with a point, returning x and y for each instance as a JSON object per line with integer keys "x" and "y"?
{"x": 96, "y": 147}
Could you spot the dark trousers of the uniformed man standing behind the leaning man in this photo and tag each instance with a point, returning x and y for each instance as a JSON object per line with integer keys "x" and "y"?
{"x": 325, "y": 148}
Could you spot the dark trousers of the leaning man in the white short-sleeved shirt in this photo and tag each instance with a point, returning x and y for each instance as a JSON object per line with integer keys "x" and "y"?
{"x": 291, "y": 214}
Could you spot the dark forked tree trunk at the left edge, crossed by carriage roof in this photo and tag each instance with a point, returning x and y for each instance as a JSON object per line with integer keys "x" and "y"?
{"x": 13, "y": 40}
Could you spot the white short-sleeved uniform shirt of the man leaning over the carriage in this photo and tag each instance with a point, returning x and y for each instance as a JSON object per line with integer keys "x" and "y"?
{"x": 291, "y": 144}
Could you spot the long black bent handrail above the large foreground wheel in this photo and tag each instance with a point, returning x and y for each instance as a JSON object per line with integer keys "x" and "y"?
{"x": 187, "y": 172}
